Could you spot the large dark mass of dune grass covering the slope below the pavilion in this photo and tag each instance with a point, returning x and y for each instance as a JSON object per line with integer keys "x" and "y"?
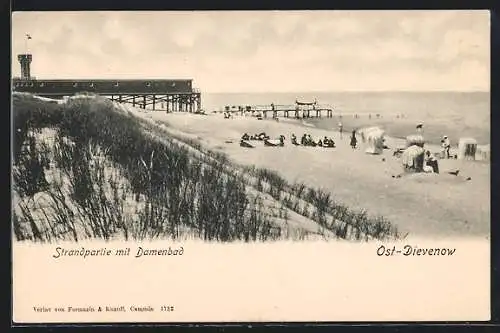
{"x": 174, "y": 194}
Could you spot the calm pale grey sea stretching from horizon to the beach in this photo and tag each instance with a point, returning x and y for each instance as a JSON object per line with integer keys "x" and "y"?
{"x": 455, "y": 114}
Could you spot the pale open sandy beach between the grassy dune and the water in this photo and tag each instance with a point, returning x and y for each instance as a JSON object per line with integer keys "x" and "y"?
{"x": 431, "y": 205}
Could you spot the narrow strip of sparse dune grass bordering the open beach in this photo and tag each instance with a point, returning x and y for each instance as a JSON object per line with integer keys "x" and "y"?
{"x": 312, "y": 203}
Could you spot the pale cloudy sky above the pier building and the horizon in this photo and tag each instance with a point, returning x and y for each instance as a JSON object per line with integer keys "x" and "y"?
{"x": 263, "y": 51}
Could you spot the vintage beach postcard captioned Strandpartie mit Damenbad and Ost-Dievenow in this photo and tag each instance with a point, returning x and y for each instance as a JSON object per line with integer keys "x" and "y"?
{"x": 250, "y": 166}
